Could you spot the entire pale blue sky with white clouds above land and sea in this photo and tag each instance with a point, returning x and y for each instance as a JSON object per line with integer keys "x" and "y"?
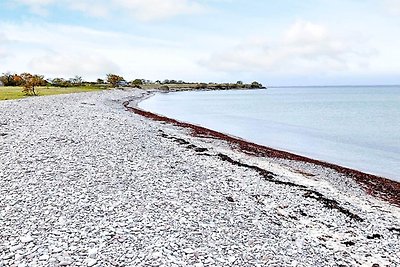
{"x": 285, "y": 42}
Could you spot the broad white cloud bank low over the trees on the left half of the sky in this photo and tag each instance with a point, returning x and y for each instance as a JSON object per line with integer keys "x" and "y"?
{"x": 90, "y": 53}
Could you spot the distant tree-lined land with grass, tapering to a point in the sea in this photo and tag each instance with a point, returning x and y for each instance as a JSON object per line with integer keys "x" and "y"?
{"x": 15, "y": 86}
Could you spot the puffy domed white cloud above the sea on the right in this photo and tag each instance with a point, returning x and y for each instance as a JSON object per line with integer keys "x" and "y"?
{"x": 304, "y": 48}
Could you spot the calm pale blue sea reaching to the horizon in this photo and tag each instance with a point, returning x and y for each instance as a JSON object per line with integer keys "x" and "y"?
{"x": 356, "y": 127}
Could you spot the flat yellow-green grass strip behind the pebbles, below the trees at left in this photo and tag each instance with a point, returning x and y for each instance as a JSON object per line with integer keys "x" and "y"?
{"x": 8, "y": 93}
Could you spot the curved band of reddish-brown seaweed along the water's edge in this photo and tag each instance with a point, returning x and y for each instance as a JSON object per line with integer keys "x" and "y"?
{"x": 374, "y": 185}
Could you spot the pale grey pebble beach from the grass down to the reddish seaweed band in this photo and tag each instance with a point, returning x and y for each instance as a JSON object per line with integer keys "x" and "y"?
{"x": 84, "y": 182}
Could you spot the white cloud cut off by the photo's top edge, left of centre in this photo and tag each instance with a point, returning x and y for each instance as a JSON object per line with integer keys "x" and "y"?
{"x": 144, "y": 10}
